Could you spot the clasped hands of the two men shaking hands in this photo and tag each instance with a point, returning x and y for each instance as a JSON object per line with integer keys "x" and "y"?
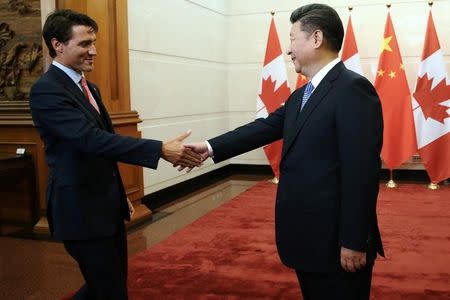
{"x": 184, "y": 156}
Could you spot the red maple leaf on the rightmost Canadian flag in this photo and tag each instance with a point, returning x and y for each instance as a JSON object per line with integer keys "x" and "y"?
{"x": 430, "y": 99}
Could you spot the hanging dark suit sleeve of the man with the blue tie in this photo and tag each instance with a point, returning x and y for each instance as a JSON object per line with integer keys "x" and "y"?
{"x": 360, "y": 130}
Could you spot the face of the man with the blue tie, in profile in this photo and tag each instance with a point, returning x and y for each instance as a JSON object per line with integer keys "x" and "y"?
{"x": 301, "y": 48}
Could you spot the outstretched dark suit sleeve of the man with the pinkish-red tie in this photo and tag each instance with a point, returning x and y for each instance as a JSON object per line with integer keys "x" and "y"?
{"x": 57, "y": 115}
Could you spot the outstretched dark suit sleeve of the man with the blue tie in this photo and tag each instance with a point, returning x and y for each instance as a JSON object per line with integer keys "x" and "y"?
{"x": 253, "y": 135}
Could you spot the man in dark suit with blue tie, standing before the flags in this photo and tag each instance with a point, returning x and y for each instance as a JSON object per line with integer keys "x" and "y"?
{"x": 326, "y": 224}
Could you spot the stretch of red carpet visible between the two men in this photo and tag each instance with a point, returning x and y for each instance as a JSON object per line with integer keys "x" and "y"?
{"x": 229, "y": 253}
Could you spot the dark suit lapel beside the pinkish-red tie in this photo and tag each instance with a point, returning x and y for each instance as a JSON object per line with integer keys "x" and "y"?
{"x": 77, "y": 95}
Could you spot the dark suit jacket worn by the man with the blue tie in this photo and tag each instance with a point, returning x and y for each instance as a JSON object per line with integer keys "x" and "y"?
{"x": 330, "y": 166}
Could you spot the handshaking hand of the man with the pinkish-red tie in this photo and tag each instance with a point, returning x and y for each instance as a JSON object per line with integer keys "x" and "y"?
{"x": 176, "y": 153}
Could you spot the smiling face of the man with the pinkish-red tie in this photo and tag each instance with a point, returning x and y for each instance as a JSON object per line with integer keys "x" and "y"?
{"x": 78, "y": 53}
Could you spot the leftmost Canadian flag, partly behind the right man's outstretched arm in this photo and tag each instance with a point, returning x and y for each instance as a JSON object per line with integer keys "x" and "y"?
{"x": 273, "y": 91}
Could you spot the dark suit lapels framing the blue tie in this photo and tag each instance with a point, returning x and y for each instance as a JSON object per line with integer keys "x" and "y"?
{"x": 298, "y": 118}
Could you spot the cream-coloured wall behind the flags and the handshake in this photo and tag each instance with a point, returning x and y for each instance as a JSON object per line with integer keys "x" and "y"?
{"x": 196, "y": 64}
